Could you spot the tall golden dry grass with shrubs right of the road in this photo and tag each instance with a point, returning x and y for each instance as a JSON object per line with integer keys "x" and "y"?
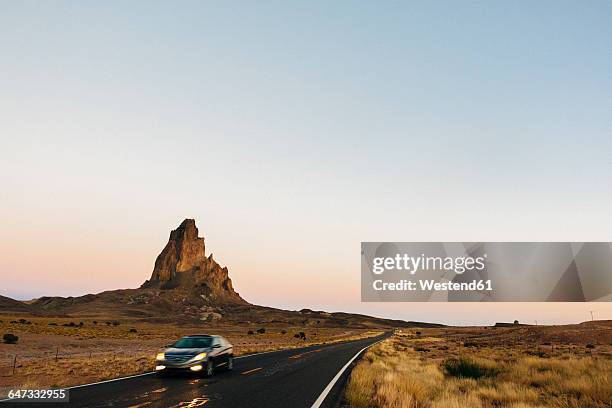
{"x": 437, "y": 370}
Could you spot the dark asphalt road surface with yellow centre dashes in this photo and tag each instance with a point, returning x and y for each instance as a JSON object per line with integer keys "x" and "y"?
{"x": 287, "y": 378}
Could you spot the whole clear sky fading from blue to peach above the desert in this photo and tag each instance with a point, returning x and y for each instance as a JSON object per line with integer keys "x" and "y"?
{"x": 291, "y": 133}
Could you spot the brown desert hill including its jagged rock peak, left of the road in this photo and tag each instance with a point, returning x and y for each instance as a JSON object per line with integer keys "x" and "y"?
{"x": 186, "y": 285}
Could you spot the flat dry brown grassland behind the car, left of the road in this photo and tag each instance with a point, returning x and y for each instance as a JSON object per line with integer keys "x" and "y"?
{"x": 95, "y": 352}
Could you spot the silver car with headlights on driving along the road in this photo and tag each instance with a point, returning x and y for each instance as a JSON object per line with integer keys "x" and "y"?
{"x": 197, "y": 353}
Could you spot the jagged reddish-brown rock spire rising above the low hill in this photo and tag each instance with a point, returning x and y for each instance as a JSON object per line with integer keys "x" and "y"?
{"x": 183, "y": 265}
